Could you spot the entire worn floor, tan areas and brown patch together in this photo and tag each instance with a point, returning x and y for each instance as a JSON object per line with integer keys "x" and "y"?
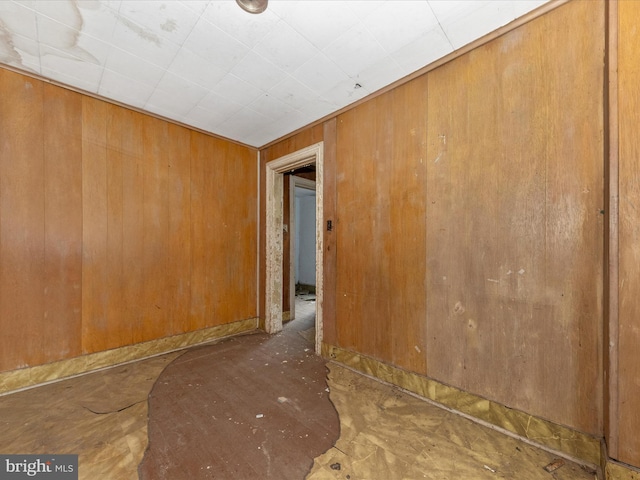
{"x": 383, "y": 433}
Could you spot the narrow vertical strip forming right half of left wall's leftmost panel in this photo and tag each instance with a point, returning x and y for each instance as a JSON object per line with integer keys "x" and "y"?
{"x": 63, "y": 223}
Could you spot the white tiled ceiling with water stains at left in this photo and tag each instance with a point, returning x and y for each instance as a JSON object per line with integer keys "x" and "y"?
{"x": 250, "y": 78}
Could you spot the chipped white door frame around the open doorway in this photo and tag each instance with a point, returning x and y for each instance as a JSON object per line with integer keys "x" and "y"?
{"x": 275, "y": 171}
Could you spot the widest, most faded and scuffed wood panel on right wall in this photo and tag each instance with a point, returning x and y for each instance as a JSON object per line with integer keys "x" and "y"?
{"x": 514, "y": 218}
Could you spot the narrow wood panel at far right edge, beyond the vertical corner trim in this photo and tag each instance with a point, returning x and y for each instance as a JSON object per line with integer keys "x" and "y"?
{"x": 628, "y": 381}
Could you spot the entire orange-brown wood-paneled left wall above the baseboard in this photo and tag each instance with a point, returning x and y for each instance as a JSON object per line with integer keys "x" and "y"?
{"x": 115, "y": 227}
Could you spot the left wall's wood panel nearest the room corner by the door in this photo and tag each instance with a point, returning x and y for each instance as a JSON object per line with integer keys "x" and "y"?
{"x": 224, "y": 231}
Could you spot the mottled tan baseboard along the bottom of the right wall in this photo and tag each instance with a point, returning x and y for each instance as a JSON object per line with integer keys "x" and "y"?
{"x": 576, "y": 445}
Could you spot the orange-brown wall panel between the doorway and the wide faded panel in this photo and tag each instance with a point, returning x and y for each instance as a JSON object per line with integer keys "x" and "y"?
{"x": 381, "y": 227}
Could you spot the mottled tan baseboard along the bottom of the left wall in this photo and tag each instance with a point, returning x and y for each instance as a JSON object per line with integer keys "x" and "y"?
{"x": 24, "y": 378}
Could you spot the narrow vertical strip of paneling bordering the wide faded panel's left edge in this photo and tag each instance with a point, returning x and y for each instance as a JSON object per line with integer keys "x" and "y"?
{"x": 408, "y": 265}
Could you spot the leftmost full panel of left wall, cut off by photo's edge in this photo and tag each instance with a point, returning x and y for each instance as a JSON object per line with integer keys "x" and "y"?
{"x": 40, "y": 222}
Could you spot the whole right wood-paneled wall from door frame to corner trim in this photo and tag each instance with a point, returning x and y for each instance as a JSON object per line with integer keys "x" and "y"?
{"x": 468, "y": 213}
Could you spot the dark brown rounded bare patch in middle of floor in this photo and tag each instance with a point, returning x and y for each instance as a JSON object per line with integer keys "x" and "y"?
{"x": 252, "y": 406}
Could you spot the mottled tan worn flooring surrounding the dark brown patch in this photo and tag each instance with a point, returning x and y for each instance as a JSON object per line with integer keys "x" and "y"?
{"x": 384, "y": 433}
